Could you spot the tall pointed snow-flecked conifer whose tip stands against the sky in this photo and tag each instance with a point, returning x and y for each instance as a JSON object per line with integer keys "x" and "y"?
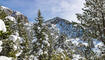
{"x": 41, "y": 44}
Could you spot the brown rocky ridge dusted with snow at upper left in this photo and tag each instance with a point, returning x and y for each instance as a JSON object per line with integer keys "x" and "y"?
{"x": 15, "y": 14}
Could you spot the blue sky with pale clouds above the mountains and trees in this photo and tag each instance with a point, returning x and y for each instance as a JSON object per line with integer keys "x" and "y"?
{"x": 50, "y": 8}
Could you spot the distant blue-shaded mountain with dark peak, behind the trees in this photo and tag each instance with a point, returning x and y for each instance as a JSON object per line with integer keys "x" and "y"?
{"x": 71, "y": 29}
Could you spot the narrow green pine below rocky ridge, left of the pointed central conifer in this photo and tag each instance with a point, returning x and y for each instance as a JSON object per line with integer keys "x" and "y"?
{"x": 24, "y": 45}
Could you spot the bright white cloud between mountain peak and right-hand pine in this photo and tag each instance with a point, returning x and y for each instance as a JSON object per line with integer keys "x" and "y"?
{"x": 68, "y": 9}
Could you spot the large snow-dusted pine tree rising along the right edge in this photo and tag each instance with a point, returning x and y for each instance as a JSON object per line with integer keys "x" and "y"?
{"x": 93, "y": 19}
